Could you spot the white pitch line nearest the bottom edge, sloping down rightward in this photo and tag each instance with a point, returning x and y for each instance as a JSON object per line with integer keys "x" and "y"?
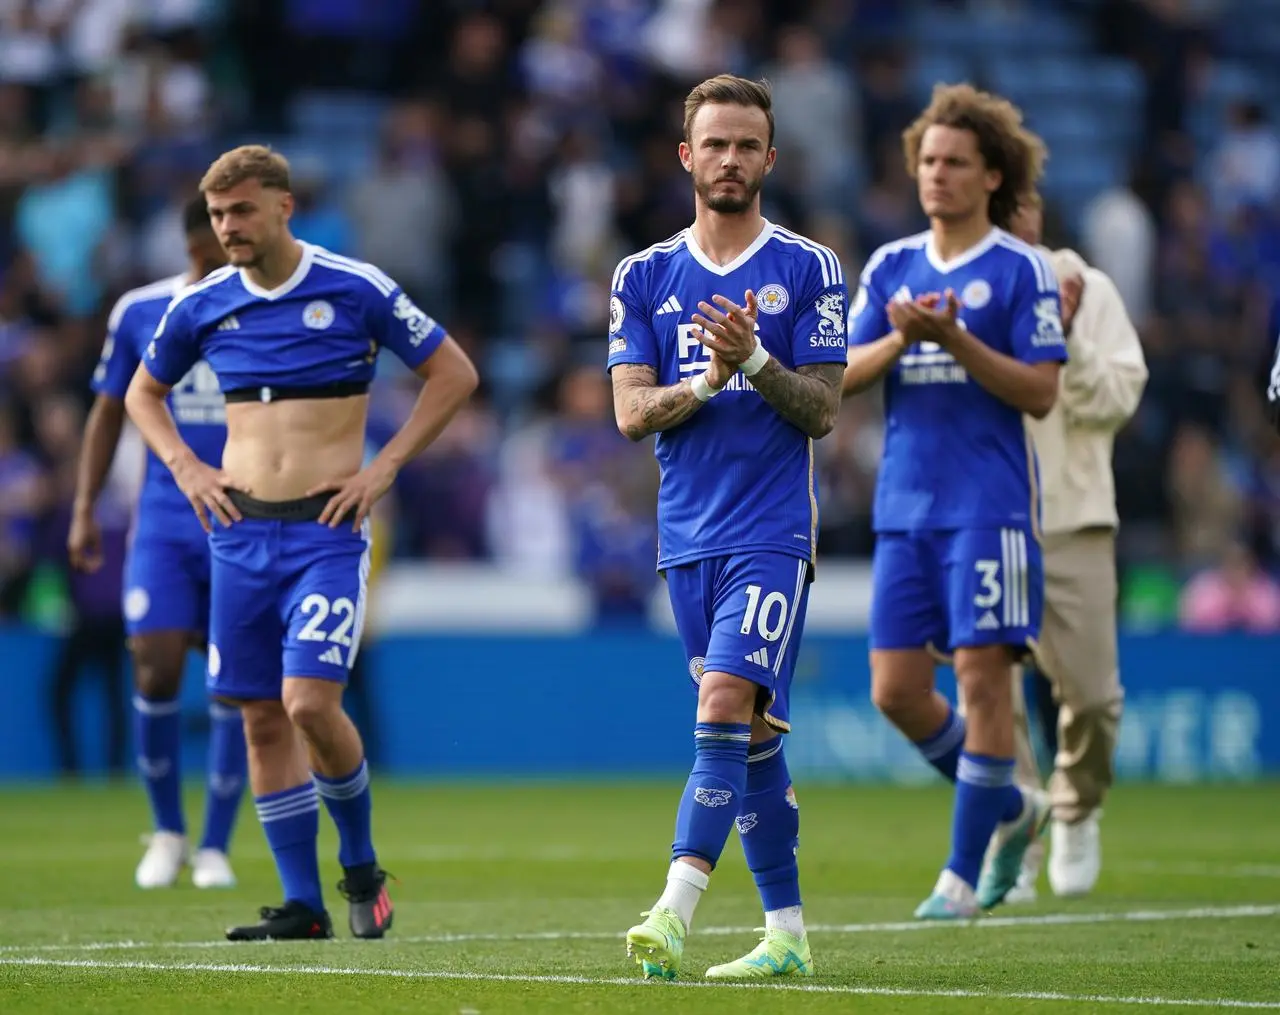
{"x": 328, "y": 971}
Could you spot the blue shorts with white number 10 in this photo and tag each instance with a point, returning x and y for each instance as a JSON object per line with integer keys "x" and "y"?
{"x": 744, "y": 615}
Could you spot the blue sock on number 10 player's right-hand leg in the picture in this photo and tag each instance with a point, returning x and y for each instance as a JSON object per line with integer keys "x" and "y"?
{"x": 769, "y": 824}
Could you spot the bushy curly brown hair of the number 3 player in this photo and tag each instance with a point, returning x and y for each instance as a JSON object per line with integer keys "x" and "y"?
{"x": 1005, "y": 144}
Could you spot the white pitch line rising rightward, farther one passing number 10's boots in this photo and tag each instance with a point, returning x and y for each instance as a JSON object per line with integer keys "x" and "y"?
{"x": 1050, "y": 920}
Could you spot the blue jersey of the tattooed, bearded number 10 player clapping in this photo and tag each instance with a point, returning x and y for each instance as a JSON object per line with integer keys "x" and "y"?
{"x": 735, "y": 477}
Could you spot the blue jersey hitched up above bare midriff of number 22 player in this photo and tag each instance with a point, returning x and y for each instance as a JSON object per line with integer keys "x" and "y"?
{"x": 324, "y": 326}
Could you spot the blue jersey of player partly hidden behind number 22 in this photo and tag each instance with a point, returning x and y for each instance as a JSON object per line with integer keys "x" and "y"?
{"x": 195, "y": 403}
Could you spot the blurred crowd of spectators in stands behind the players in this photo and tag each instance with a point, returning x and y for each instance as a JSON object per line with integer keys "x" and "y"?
{"x": 499, "y": 159}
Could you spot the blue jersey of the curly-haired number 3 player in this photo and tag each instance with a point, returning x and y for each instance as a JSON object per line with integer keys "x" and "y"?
{"x": 956, "y": 456}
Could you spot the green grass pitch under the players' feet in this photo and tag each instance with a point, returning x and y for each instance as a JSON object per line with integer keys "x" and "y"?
{"x": 514, "y": 899}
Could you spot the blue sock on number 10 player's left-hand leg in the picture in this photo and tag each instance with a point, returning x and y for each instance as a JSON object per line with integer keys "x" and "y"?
{"x": 715, "y": 792}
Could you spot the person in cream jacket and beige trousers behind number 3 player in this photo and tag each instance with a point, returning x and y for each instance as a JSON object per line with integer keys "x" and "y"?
{"x": 1100, "y": 390}
